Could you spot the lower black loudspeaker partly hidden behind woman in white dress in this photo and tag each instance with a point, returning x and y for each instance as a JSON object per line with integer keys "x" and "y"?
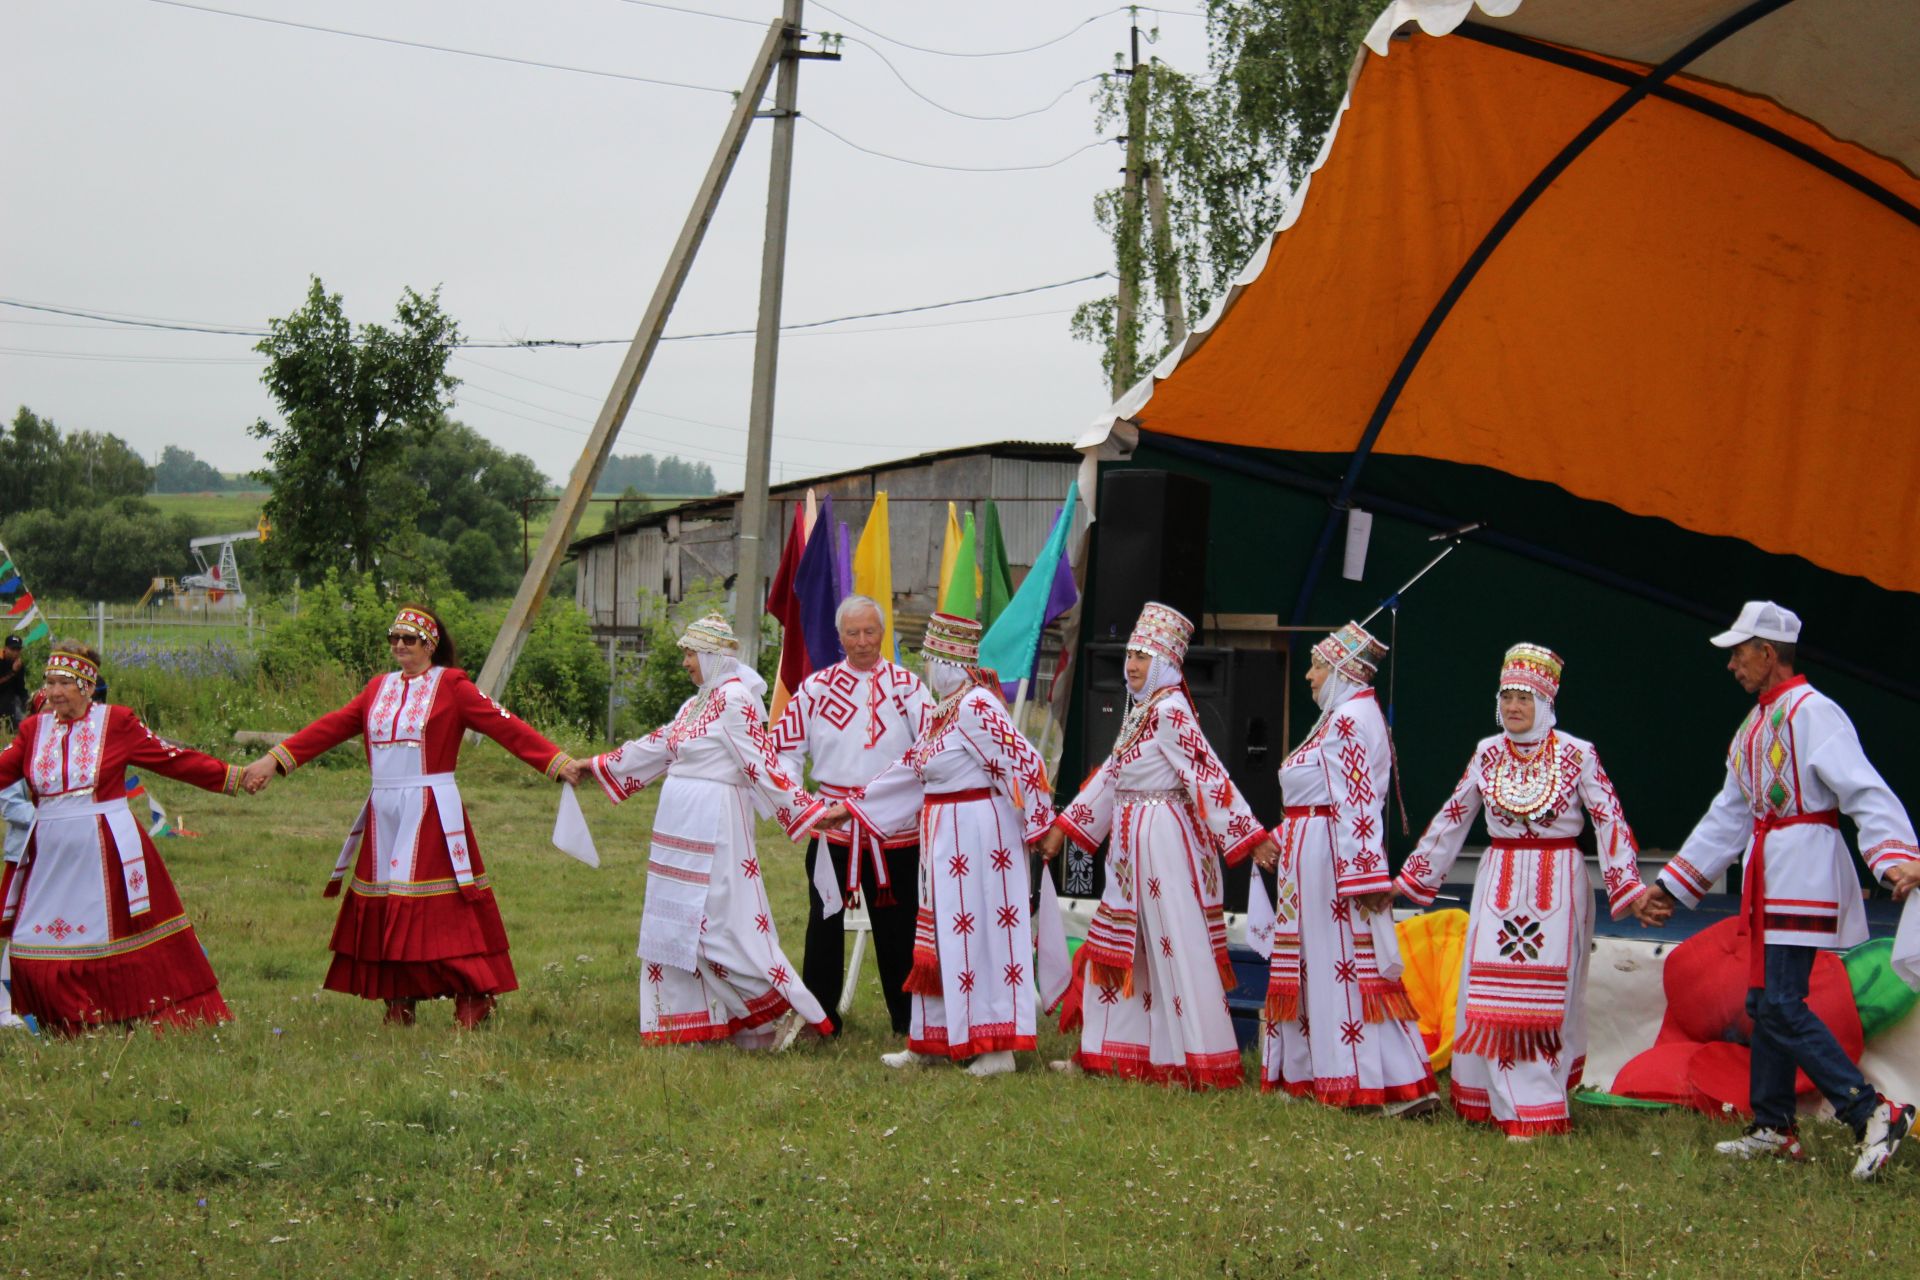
{"x": 1237, "y": 696}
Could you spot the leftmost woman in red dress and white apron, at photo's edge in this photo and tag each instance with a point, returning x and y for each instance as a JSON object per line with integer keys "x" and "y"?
{"x": 99, "y": 932}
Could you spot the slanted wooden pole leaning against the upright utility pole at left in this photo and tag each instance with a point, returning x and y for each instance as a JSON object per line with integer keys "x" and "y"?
{"x": 587, "y": 473}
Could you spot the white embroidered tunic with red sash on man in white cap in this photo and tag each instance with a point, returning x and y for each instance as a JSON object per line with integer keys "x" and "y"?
{"x": 1794, "y": 767}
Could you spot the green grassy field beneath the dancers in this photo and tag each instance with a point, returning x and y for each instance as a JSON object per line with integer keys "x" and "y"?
{"x": 306, "y": 1139}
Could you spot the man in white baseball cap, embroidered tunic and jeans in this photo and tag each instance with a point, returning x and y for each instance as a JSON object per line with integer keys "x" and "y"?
{"x": 1794, "y": 767}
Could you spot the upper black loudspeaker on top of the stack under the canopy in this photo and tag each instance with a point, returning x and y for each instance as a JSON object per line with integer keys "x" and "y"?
{"x": 1151, "y": 548}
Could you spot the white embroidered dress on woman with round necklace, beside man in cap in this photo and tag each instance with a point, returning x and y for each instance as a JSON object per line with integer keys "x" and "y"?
{"x": 1522, "y": 1026}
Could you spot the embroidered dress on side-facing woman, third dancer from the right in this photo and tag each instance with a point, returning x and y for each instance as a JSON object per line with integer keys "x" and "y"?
{"x": 1339, "y": 1030}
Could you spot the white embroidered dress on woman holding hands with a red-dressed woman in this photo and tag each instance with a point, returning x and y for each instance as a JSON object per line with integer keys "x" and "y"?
{"x": 711, "y": 962}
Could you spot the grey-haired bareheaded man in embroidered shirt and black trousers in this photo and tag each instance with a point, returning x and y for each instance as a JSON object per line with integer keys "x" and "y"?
{"x": 853, "y": 721}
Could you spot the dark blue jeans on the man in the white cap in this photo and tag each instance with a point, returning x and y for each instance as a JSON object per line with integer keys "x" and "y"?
{"x": 1788, "y": 1035}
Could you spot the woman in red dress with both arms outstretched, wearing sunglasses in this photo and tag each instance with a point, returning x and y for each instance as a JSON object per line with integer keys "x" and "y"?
{"x": 420, "y": 918}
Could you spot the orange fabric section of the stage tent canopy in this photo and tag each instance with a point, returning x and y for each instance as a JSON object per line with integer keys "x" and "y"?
{"x": 1691, "y": 323}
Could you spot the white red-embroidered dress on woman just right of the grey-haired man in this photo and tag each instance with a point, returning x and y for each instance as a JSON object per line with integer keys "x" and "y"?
{"x": 982, "y": 797}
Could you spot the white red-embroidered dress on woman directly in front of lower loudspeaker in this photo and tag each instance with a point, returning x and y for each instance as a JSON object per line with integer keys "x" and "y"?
{"x": 1153, "y": 976}
